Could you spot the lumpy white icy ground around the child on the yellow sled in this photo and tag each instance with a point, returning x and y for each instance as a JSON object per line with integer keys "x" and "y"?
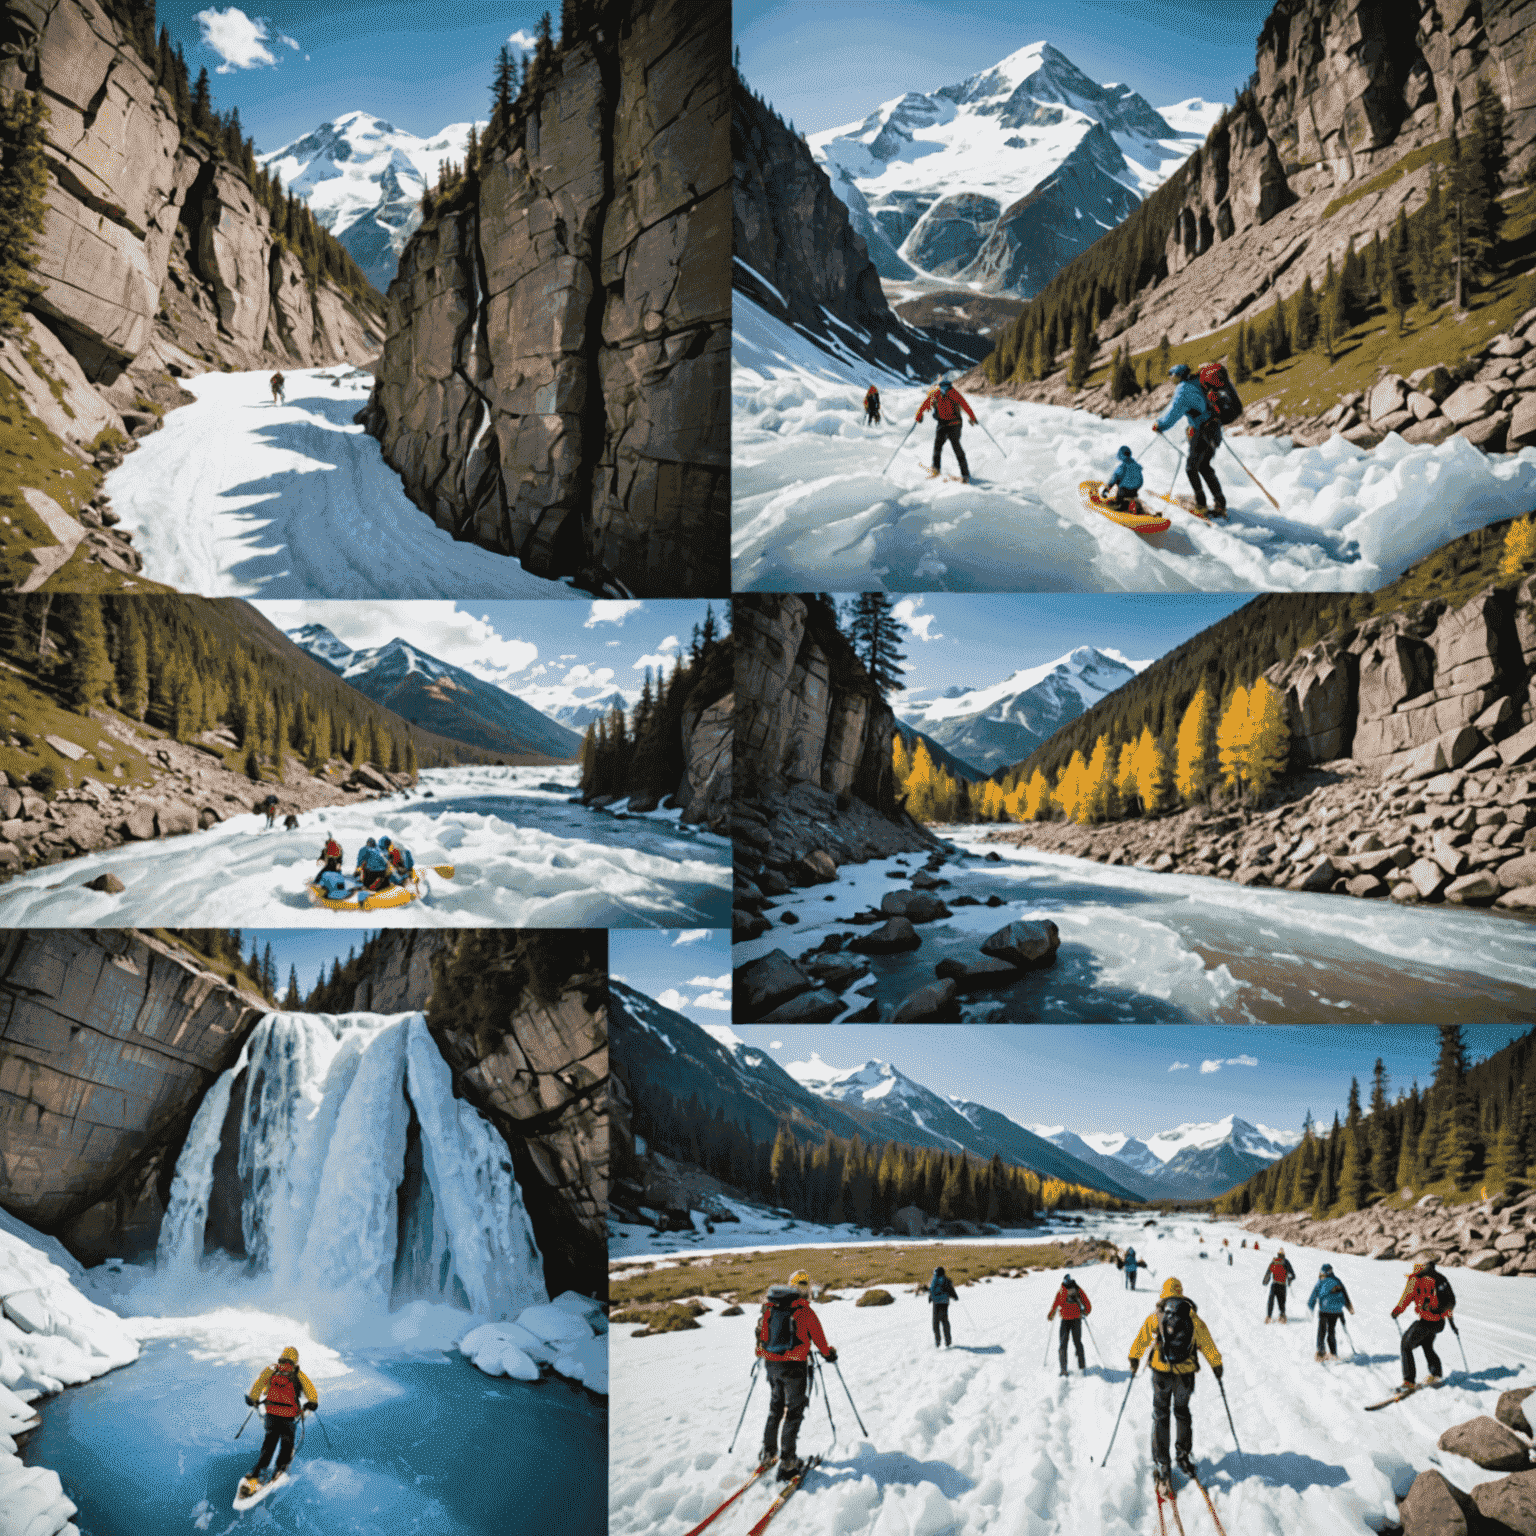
{"x": 815, "y": 508}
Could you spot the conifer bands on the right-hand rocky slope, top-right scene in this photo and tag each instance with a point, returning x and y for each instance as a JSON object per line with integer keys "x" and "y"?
{"x": 1445, "y": 253}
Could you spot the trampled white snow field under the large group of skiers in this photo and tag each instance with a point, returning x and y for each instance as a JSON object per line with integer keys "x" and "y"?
{"x": 984, "y": 1438}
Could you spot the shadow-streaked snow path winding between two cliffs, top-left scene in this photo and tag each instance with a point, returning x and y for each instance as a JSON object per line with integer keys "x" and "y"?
{"x": 240, "y": 498}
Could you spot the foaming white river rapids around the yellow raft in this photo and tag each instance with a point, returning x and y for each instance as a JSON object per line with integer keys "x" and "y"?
{"x": 523, "y": 858}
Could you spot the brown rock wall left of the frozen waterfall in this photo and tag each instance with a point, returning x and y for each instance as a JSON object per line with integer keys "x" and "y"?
{"x": 108, "y": 1044}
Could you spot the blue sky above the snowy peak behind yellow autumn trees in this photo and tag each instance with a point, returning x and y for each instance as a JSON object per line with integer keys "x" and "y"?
{"x": 973, "y": 641}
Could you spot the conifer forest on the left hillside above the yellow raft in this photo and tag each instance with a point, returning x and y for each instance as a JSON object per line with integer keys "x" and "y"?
{"x": 174, "y": 666}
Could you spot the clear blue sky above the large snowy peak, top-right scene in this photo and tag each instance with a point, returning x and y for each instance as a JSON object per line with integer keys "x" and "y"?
{"x": 827, "y": 65}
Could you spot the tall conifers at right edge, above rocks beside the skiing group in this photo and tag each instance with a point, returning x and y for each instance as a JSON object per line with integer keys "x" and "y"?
{"x": 1474, "y": 1130}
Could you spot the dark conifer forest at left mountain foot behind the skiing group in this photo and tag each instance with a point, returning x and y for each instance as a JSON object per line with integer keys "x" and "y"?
{"x": 836, "y": 1180}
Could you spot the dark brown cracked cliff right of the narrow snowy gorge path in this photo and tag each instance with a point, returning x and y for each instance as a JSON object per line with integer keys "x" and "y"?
{"x": 555, "y": 379}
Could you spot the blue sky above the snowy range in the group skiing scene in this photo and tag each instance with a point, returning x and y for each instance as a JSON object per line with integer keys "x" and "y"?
{"x": 1124, "y": 1078}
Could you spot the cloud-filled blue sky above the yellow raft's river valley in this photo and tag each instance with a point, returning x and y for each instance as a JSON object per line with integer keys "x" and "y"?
{"x": 548, "y": 654}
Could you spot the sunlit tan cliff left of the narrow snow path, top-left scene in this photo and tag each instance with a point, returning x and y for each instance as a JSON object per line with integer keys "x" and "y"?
{"x": 156, "y": 260}
